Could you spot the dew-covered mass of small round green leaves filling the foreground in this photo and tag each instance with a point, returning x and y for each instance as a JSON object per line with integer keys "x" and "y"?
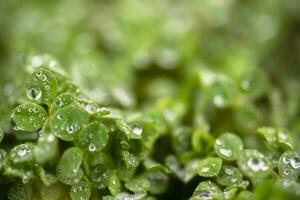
{"x": 66, "y": 146}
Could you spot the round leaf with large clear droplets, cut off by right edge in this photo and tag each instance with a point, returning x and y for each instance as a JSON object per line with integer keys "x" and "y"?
{"x": 289, "y": 165}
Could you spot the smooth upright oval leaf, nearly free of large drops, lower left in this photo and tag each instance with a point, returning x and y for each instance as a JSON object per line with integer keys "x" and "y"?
{"x": 69, "y": 166}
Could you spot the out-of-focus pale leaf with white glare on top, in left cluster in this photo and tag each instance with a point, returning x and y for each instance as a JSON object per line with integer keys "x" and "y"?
{"x": 46, "y": 148}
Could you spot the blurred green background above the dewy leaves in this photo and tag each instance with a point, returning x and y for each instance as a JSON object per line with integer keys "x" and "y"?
{"x": 129, "y": 53}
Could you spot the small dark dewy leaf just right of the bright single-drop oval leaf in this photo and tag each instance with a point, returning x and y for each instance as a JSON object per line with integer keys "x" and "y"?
{"x": 229, "y": 176}
